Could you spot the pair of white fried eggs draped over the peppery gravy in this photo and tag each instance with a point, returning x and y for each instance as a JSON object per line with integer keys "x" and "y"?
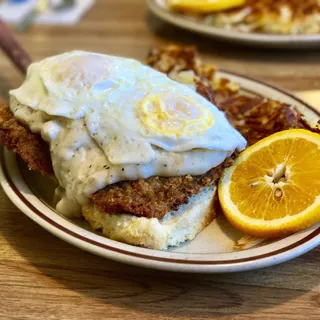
{"x": 126, "y": 106}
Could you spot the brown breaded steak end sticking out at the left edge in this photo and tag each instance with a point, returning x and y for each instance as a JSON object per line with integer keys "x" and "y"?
{"x": 19, "y": 139}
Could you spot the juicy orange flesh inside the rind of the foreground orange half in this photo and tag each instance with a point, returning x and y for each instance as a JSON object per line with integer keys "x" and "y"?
{"x": 272, "y": 185}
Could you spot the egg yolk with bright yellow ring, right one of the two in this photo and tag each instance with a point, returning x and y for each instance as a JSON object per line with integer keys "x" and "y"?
{"x": 174, "y": 117}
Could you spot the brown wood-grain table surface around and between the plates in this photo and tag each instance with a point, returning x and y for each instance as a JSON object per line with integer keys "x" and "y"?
{"x": 42, "y": 277}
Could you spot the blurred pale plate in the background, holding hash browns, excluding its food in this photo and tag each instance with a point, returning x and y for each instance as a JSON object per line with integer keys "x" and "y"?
{"x": 160, "y": 9}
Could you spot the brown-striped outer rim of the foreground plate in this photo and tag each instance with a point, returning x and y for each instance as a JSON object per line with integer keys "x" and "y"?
{"x": 286, "y": 253}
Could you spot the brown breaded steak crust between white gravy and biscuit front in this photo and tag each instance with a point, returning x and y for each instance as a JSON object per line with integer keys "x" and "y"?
{"x": 156, "y": 196}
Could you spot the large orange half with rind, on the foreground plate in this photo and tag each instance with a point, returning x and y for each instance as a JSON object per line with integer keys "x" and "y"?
{"x": 273, "y": 188}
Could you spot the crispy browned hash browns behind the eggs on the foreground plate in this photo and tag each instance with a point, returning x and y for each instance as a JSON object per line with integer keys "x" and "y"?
{"x": 254, "y": 117}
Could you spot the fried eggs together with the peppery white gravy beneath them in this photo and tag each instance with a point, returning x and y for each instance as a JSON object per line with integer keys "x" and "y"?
{"x": 109, "y": 119}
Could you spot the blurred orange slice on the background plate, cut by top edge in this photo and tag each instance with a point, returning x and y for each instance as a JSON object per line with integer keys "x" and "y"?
{"x": 204, "y": 6}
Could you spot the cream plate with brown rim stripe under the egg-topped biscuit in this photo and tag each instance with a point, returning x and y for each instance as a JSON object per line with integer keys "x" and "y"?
{"x": 211, "y": 251}
